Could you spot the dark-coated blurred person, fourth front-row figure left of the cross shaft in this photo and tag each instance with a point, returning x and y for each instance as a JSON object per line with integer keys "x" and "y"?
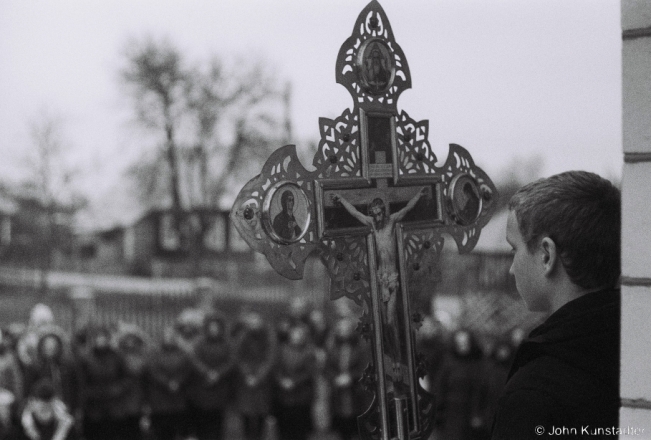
{"x": 211, "y": 388}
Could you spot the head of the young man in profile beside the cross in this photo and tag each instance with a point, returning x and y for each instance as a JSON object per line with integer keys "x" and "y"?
{"x": 567, "y": 224}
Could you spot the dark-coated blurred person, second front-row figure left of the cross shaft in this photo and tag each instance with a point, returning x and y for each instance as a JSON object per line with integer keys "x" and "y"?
{"x": 294, "y": 384}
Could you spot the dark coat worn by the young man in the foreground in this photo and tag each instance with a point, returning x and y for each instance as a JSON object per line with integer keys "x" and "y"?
{"x": 566, "y": 374}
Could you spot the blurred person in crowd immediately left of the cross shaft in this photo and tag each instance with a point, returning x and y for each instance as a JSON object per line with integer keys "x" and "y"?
{"x": 346, "y": 360}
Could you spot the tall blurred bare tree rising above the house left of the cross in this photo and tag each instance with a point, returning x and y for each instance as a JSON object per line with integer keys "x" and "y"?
{"x": 214, "y": 120}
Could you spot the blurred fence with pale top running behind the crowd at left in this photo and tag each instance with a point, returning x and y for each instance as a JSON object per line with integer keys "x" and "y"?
{"x": 151, "y": 304}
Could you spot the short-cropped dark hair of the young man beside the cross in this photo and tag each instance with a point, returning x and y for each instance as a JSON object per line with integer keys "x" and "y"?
{"x": 580, "y": 212}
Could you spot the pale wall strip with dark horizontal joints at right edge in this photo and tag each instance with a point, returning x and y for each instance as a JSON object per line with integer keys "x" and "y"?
{"x": 636, "y": 223}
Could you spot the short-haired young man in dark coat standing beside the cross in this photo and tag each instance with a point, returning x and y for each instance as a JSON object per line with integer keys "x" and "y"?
{"x": 565, "y": 234}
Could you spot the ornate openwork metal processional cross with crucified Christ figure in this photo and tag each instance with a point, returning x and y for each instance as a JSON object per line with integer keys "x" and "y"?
{"x": 374, "y": 209}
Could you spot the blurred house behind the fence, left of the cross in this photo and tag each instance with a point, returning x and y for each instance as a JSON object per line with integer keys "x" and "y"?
{"x": 161, "y": 244}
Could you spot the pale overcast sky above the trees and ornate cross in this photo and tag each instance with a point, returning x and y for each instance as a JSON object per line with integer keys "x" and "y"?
{"x": 503, "y": 78}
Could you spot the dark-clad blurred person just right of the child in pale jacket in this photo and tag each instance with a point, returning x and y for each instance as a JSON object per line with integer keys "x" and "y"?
{"x": 104, "y": 379}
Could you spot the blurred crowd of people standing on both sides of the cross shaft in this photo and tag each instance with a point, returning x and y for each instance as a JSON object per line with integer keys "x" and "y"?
{"x": 289, "y": 379}
